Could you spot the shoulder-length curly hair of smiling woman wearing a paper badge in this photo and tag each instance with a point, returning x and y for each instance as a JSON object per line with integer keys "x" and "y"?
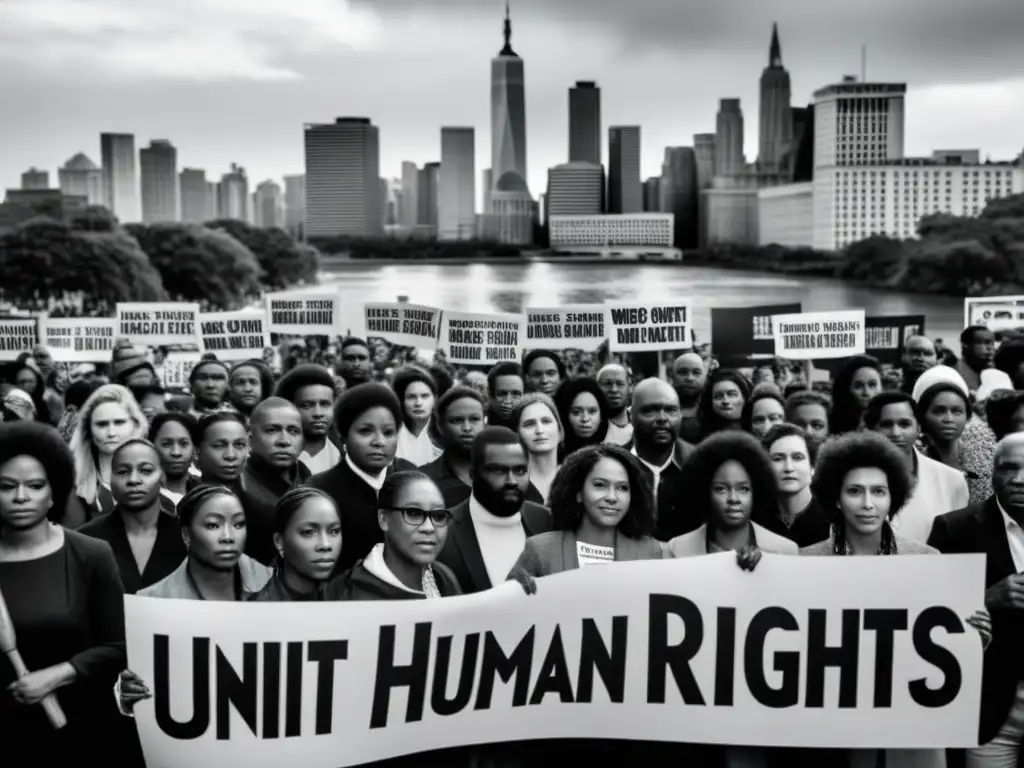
{"x": 568, "y": 511}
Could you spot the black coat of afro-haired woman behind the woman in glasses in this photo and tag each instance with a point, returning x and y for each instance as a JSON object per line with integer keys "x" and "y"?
{"x": 358, "y": 504}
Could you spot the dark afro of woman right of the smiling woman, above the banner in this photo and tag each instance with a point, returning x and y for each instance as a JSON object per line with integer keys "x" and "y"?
{"x": 710, "y": 455}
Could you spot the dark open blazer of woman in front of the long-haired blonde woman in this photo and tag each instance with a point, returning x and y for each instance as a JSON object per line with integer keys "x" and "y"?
{"x": 168, "y": 551}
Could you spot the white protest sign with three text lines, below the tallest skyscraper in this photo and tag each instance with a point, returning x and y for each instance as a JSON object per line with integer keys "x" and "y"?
{"x": 482, "y": 339}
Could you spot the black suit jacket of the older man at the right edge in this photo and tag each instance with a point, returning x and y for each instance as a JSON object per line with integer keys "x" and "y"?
{"x": 980, "y": 529}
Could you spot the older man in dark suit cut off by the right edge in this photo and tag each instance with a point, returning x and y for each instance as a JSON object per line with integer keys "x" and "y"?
{"x": 995, "y": 529}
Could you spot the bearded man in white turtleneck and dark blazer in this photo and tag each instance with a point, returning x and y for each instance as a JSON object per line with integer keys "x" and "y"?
{"x": 490, "y": 530}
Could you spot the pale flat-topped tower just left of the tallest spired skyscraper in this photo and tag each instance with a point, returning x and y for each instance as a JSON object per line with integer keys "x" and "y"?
{"x": 457, "y": 187}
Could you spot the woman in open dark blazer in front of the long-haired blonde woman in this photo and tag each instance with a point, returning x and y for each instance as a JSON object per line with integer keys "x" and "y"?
{"x": 146, "y": 540}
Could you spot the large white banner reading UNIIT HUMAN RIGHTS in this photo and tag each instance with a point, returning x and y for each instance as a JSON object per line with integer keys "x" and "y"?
{"x": 622, "y": 652}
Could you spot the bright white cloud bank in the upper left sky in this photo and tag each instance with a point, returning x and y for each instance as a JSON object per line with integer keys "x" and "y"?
{"x": 197, "y": 40}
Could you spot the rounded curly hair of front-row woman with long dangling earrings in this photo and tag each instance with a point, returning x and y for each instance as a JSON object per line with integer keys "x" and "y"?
{"x": 843, "y": 454}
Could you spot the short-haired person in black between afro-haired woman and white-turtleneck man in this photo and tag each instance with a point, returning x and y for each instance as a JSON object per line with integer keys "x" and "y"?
{"x": 458, "y": 419}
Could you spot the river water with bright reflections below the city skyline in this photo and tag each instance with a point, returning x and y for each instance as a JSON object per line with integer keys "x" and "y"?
{"x": 510, "y": 288}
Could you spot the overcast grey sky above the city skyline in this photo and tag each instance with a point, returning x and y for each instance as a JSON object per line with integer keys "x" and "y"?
{"x": 235, "y": 80}
